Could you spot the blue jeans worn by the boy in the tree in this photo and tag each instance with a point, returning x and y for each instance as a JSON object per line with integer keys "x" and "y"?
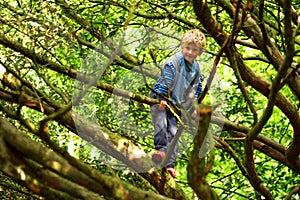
{"x": 164, "y": 130}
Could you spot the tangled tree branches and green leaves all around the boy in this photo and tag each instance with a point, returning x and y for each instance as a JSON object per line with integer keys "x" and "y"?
{"x": 76, "y": 76}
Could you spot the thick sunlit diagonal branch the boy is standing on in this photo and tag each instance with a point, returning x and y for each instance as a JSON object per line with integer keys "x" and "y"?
{"x": 114, "y": 145}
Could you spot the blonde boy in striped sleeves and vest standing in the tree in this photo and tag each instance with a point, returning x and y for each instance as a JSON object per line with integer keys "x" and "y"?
{"x": 180, "y": 81}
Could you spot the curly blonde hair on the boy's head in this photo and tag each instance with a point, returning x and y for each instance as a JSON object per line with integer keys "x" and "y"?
{"x": 194, "y": 36}
